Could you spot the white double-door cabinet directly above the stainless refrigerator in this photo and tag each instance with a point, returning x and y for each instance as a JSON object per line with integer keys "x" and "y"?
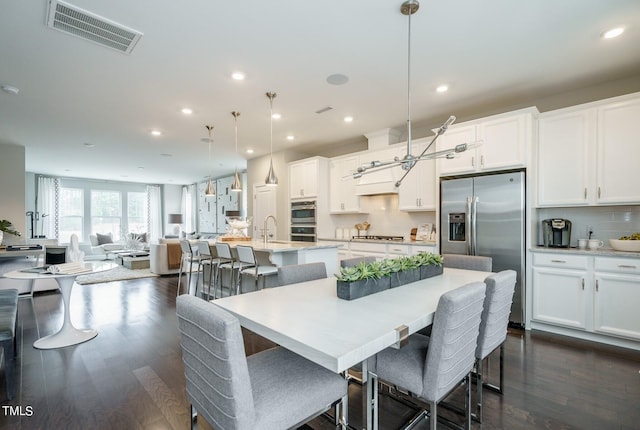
{"x": 505, "y": 141}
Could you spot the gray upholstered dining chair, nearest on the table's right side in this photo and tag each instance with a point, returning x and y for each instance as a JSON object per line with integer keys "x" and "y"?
{"x": 430, "y": 368}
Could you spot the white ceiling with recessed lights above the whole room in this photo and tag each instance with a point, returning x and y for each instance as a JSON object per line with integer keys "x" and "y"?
{"x": 492, "y": 53}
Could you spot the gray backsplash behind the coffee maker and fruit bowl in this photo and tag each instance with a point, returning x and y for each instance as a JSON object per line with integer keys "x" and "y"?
{"x": 608, "y": 222}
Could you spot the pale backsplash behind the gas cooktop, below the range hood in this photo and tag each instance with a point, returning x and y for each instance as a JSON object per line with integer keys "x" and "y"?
{"x": 384, "y": 216}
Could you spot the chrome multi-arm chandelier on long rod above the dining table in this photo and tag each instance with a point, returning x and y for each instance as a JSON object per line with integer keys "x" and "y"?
{"x": 407, "y": 163}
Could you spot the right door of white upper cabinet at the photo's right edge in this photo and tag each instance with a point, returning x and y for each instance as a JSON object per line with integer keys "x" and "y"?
{"x": 618, "y": 160}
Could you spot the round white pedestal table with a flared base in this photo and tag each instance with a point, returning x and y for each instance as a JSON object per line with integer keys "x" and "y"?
{"x": 67, "y": 335}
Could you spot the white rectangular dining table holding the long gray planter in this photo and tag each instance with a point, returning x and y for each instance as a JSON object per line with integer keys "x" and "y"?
{"x": 309, "y": 319}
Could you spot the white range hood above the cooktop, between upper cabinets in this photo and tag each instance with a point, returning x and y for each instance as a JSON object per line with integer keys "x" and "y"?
{"x": 383, "y": 181}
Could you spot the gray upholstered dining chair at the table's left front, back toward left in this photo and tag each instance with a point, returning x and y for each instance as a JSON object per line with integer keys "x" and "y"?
{"x": 273, "y": 389}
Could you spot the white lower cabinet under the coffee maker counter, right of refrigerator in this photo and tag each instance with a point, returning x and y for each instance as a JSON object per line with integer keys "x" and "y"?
{"x": 592, "y": 294}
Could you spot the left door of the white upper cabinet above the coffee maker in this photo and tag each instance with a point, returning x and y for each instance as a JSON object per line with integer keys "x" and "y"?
{"x": 564, "y": 145}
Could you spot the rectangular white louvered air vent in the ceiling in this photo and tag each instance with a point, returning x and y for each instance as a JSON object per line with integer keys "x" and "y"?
{"x": 89, "y": 26}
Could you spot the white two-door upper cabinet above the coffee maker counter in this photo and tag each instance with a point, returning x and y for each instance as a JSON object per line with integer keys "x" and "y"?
{"x": 590, "y": 155}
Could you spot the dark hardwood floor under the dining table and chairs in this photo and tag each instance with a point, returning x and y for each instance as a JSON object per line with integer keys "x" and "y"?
{"x": 131, "y": 375}
